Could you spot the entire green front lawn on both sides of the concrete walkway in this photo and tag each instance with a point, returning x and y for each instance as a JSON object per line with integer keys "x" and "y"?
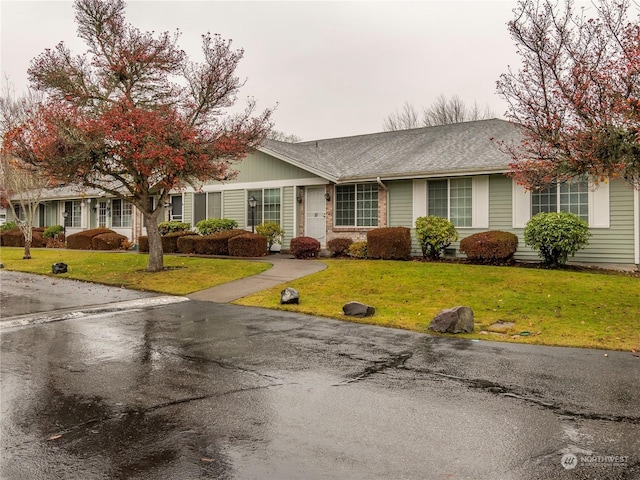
{"x": 556, "y": 307}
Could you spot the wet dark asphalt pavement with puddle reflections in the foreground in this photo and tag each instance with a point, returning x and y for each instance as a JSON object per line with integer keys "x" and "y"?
{"x": 186, "y": 389}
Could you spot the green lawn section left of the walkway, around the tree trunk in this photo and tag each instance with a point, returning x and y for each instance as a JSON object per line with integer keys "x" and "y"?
{"x": 184, "y": 275}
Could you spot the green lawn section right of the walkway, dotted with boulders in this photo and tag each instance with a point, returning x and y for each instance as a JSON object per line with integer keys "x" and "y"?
{"x": 556, "y": 307}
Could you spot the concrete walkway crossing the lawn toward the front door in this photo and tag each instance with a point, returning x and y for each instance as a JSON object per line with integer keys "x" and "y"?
{"x": 285, "y": 268}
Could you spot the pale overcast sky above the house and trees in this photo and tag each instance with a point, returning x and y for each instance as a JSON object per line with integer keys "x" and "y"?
{"x": 334, "y": 68}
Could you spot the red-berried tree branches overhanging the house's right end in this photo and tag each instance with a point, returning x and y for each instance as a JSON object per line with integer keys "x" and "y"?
{"x": 577, "y": 93}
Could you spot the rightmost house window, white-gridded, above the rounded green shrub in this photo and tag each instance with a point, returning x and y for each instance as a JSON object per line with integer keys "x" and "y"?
{"x": 572, "y": 197}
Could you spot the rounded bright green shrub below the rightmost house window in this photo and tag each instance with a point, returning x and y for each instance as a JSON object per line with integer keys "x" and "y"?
{"x": 556, "y": 235}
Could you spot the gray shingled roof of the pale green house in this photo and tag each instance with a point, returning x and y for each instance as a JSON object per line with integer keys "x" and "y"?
{"x": 440, "y": 150}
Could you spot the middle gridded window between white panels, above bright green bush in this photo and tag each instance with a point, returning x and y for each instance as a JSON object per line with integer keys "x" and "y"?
{"x": 452, "y": 199}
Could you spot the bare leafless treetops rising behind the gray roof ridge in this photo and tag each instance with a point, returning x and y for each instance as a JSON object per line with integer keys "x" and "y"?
{"x": 443, "y": 111}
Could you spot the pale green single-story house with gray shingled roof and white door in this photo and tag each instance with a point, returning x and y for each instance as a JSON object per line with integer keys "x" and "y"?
{"x": 345, "y": 187}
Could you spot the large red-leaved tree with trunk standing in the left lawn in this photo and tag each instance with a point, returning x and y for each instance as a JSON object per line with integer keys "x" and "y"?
{"x": 134, "y": 117}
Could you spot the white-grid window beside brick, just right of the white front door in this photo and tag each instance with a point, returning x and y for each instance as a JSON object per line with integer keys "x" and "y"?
{"x": 357, "y": 205}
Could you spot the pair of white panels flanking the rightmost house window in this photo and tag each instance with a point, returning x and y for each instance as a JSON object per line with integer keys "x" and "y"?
{"x": 598, "y": 198}
